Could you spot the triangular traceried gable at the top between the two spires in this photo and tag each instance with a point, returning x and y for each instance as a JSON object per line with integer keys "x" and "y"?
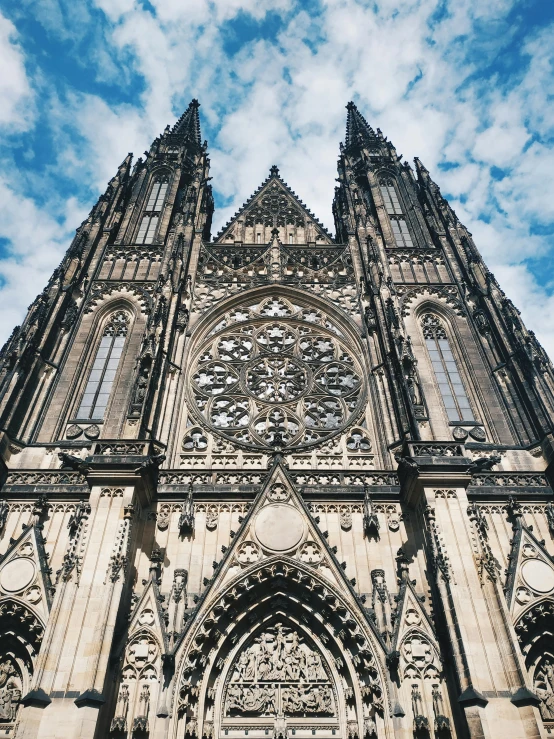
{"x": 273, "y": 205}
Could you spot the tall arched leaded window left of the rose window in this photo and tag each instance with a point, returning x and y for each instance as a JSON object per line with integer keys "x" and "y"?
{"x": 99, "y": 385}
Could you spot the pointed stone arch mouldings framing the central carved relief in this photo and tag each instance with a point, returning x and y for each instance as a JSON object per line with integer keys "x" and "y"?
{"x": 280, "y": 590}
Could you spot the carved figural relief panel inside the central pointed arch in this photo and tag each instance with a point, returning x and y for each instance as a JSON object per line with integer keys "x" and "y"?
{"x": 279, "y": 674}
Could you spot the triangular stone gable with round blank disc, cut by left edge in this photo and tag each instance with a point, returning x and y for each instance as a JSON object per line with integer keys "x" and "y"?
{"x": 25, "y": 573}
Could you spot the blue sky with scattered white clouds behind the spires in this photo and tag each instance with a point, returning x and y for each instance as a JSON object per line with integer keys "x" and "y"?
{"x": 466, "y": 85}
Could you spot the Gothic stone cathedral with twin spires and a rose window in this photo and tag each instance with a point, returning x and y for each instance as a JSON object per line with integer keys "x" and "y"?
{"x": 275, "y": 483}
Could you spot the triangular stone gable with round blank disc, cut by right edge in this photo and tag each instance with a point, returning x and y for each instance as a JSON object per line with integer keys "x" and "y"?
{"x": 530, "y": 573}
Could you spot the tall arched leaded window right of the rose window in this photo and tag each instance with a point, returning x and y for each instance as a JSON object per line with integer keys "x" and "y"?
{"x": 446, "y": 371}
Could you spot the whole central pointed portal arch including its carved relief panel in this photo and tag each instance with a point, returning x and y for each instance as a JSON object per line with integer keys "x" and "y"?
{"x": 280, "y": 604}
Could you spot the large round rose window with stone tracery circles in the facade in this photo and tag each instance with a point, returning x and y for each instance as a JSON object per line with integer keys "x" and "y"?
{"x": 275, "y": 373}
